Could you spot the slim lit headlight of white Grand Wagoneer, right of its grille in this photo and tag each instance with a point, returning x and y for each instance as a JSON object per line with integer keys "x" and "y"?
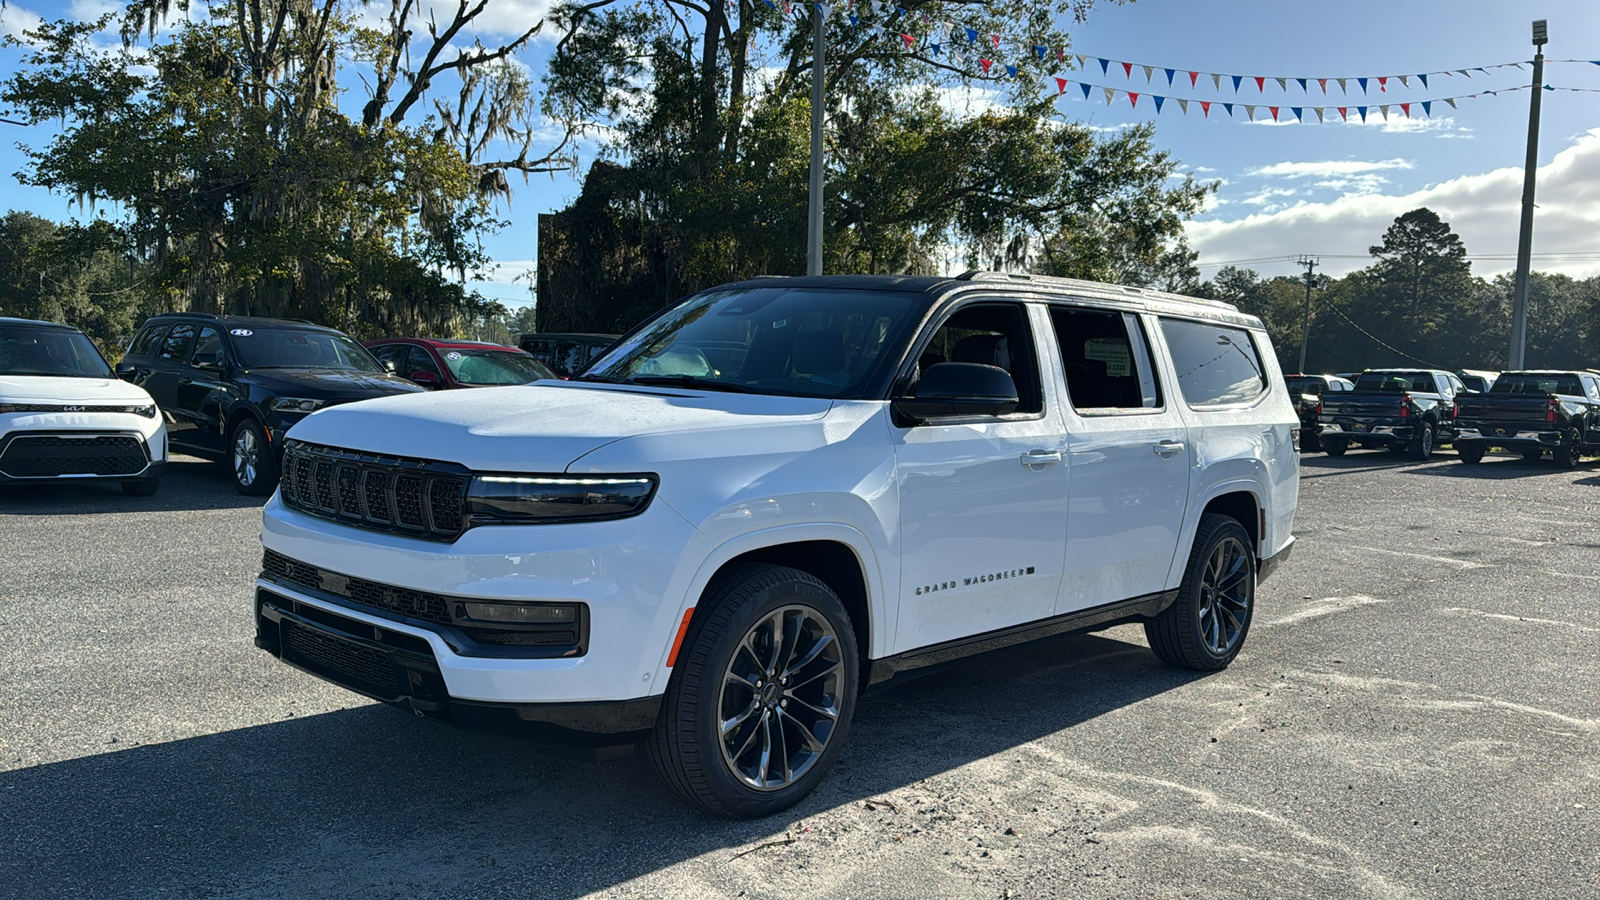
{"x": 511, "y": 500}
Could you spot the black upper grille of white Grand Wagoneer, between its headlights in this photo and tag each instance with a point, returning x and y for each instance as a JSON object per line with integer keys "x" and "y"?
{"x": 386, "y": 494}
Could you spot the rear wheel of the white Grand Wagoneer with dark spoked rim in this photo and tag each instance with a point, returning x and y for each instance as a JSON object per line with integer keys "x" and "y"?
{"x": 1207, "y": 625}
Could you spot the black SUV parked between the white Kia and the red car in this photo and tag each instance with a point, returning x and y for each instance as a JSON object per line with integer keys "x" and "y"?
{"x": 231, "y": 387}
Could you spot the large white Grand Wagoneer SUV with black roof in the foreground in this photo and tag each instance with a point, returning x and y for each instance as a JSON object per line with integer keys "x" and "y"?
{"x": 777, "y": 496}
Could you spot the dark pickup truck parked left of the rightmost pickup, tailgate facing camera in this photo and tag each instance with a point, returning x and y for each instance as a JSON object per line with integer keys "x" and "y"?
{"x": 1409, "y": 411}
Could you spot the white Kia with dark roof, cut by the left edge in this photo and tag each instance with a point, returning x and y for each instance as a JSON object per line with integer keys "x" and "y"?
{"x": 65, "y": 414}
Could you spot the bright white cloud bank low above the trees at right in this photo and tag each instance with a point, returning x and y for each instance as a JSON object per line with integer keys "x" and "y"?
{"x": 1482, "y": 209}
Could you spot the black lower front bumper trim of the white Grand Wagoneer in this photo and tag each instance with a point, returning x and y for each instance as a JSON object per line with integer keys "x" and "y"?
{"x": 394, "y": 665}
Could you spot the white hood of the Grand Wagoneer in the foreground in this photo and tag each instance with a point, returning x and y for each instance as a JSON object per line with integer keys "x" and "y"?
{"x": 538, "y": 428}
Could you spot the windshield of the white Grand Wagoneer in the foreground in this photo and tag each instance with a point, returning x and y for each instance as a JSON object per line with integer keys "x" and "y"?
{"x": 791, "y": 342}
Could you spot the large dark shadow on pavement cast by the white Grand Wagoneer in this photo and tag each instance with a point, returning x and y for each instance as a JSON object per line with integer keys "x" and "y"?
{"x": 374, "y": 802}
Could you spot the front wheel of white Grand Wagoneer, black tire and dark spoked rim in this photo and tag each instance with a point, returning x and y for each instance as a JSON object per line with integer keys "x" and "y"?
{"x": 719, "y": 678}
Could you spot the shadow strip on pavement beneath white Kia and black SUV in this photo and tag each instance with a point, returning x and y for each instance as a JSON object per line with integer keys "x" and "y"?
{"x": 190, "y": 484}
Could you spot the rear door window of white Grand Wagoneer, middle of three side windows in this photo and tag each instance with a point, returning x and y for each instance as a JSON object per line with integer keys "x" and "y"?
{"x": 1105, "y": 360}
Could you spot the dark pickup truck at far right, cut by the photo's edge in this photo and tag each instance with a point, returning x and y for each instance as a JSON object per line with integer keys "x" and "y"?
{"x": 1532, "y": 414}
